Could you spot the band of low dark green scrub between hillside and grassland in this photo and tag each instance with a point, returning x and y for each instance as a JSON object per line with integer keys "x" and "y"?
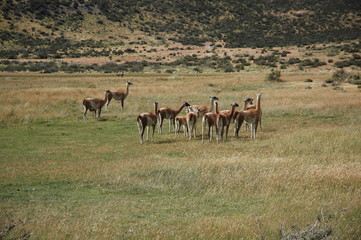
{"x": 193, "y": 62}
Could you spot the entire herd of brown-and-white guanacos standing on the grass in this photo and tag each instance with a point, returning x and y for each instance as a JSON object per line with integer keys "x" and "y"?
{"x": 210, "y": 115}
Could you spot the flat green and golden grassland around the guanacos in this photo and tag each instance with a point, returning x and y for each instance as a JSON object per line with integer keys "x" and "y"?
{"x": 63, "y": 178}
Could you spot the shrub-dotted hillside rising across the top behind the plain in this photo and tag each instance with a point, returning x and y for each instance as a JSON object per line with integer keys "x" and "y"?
{"x": 236, "y": 23}
